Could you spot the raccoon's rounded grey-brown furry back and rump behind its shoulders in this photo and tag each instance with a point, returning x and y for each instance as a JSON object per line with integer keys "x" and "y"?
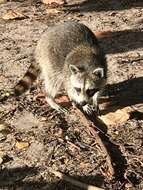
{"x": 61, "y": 39}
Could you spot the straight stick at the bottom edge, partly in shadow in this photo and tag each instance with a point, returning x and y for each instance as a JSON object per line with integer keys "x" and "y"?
{"x": 74, "y": 182}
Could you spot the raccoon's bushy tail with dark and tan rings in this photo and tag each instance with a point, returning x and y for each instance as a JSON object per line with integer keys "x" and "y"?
{"x": 25, "y": 83}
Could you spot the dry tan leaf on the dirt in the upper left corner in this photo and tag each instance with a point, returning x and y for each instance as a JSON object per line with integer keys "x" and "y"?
{"x": 10, "y": 15}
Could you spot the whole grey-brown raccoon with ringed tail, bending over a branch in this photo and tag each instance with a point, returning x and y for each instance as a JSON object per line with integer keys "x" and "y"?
{"x": 69, "y": 56}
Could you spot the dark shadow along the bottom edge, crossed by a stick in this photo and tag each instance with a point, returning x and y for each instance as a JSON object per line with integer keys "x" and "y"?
{"x": 15, "y": 179}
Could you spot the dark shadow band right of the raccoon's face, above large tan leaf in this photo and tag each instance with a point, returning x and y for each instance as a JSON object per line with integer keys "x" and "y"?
{"x": 126, "y": 93}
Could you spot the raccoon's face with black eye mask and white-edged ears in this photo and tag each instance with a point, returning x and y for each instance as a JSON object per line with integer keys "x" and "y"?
{"x": 85, "y": 84}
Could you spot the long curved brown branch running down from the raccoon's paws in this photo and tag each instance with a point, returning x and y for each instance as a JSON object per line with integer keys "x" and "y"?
{"x": 91, "y": 130}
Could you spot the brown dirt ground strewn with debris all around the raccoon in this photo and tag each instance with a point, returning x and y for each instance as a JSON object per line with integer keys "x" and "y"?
{"x": 34, "y": 138}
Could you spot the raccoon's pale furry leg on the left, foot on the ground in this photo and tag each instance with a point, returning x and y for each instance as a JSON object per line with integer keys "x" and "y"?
{"x": 52, "y": 87}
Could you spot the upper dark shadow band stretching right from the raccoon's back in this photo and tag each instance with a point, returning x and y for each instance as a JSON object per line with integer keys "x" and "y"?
{"x": 122, "y": 41}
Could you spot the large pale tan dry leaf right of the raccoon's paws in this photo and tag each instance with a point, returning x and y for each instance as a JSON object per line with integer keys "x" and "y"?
{"x": 117, "y": 117}
